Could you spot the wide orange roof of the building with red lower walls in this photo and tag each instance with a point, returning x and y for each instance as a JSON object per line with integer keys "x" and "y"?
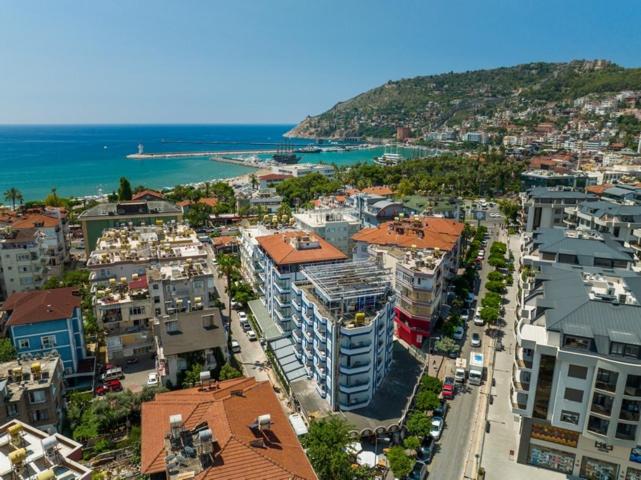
{"x": 428, "y": 232}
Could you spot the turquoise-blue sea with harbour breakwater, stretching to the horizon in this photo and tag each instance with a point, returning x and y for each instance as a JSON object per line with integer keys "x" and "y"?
{"x": 89, "y": 160}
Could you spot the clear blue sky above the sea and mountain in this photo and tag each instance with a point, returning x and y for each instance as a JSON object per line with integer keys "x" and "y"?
{"x": 273, "y": 61}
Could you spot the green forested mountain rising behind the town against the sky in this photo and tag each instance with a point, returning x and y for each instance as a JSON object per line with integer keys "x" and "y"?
{"x": 429, "y": 102}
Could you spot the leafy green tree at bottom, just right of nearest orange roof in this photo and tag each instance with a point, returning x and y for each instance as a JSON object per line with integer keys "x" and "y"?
{"x": 326, "y": 444}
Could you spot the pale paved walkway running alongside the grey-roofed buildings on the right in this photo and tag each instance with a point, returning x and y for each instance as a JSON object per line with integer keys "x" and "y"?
{"x": 499, "y": 446}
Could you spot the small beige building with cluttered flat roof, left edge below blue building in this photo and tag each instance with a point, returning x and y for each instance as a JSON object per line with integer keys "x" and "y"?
{"x": 31, "y": 391}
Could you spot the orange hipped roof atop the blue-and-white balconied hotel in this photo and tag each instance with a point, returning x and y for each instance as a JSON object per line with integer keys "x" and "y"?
{"x": 280, "y": 247}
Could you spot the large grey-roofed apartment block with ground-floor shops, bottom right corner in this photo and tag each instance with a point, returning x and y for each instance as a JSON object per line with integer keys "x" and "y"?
{"x": 576, "y": 377}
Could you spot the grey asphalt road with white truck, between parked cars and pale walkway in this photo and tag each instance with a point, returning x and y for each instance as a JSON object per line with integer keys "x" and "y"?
{"x": 449, "y": 461}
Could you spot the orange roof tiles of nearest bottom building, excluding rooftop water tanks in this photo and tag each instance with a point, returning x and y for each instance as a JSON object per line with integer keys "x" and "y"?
{"x": 229, "y": 417}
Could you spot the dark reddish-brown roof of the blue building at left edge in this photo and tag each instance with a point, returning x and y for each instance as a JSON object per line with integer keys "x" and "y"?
{"x": 41, "y": 305}
